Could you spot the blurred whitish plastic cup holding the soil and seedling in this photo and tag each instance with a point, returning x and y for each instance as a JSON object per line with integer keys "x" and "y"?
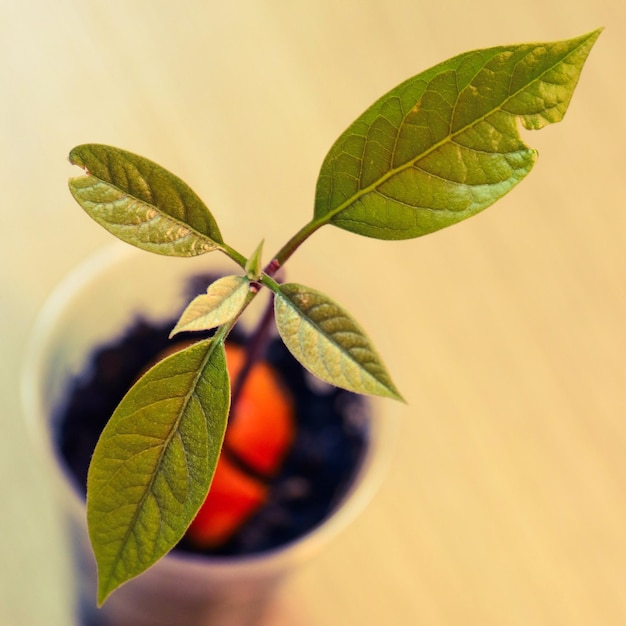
{"x": 94, "y": 305}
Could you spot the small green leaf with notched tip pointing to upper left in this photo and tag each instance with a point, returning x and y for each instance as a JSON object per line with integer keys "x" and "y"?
{"x": 141, "y": 203}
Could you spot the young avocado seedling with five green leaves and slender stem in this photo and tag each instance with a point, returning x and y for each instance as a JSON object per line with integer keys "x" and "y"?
{"x": 435, "y": 150}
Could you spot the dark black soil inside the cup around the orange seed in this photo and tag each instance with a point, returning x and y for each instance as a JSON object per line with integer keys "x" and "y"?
{"x": 330, "y": 439}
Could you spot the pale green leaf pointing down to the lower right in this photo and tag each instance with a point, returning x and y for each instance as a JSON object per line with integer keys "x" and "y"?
{"x": 328, "y": 342}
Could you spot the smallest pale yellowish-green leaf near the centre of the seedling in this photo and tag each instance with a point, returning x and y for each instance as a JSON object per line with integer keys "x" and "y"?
{"x": 222, "y": 302}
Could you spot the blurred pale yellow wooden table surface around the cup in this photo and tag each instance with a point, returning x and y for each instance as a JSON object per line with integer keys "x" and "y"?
{"x": 505, "y": 503}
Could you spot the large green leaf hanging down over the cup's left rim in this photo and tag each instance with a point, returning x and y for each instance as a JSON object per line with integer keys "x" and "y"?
{"x": 154, "y": 462}
